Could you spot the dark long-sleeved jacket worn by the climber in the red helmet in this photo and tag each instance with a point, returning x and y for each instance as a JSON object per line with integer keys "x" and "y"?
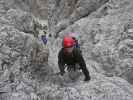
{"x": 74, "y": 58}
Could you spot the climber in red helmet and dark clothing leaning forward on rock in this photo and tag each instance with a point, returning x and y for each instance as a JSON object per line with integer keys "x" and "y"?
{"x": 71, "y": 56}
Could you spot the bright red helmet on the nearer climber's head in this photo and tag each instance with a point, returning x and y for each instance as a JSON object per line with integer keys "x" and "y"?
{"x": 68, "y": 42}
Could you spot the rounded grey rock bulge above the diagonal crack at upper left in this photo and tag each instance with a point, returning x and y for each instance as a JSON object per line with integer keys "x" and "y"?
{"x": 23, "y": 21}
